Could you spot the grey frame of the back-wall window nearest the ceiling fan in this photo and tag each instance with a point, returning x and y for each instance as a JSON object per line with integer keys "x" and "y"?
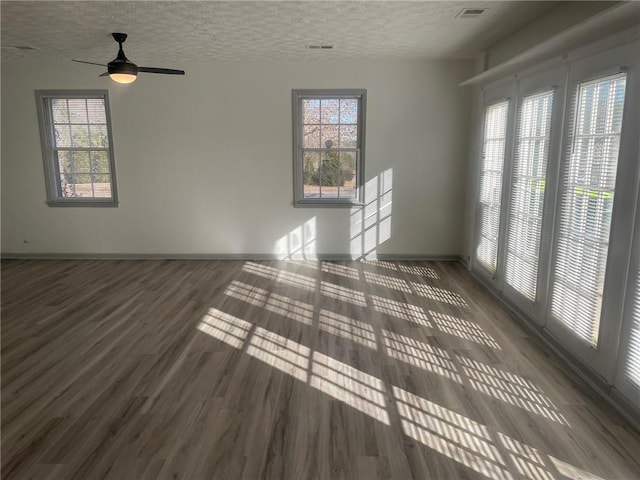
{"x": 52, "y": 180}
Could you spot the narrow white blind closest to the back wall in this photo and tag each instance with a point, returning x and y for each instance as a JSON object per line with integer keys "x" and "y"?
{"x": 495, "y": 131}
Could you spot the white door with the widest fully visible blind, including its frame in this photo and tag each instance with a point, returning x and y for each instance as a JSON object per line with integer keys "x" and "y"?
{"x": 585, "y": 285}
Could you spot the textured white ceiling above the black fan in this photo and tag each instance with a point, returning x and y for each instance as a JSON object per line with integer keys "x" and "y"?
{"x": 171, "y": 33}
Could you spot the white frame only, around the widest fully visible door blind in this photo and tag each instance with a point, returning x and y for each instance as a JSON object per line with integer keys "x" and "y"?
{"x": 603, "y": 358}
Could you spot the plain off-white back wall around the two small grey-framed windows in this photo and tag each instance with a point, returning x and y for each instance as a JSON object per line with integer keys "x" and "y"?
{"x": 204, "y": 162}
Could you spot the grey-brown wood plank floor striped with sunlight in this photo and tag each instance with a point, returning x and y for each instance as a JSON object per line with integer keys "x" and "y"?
{"x": 286, "y": 370}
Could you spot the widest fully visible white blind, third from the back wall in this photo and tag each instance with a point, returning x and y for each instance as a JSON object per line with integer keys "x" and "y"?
{"x": 587, "y": 192}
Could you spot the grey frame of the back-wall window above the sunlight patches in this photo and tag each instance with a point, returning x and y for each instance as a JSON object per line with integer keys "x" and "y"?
{"x": 298, "y": 151}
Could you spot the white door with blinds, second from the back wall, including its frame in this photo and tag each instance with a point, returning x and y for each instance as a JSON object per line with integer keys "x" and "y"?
{"x": 531, "y": 190}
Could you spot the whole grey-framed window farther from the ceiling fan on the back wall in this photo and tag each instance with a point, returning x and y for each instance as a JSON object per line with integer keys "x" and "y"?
{"x": 328, "y": 147}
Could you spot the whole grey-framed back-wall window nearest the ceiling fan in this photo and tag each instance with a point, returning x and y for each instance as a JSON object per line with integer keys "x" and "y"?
{"x": 77, "y": 149}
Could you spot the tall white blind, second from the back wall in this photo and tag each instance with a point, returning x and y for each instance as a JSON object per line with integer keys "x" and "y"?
{"x": 527, "y": 193}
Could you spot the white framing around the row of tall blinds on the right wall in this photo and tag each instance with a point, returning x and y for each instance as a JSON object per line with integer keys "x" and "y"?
{"x": 565, "y": 74}
